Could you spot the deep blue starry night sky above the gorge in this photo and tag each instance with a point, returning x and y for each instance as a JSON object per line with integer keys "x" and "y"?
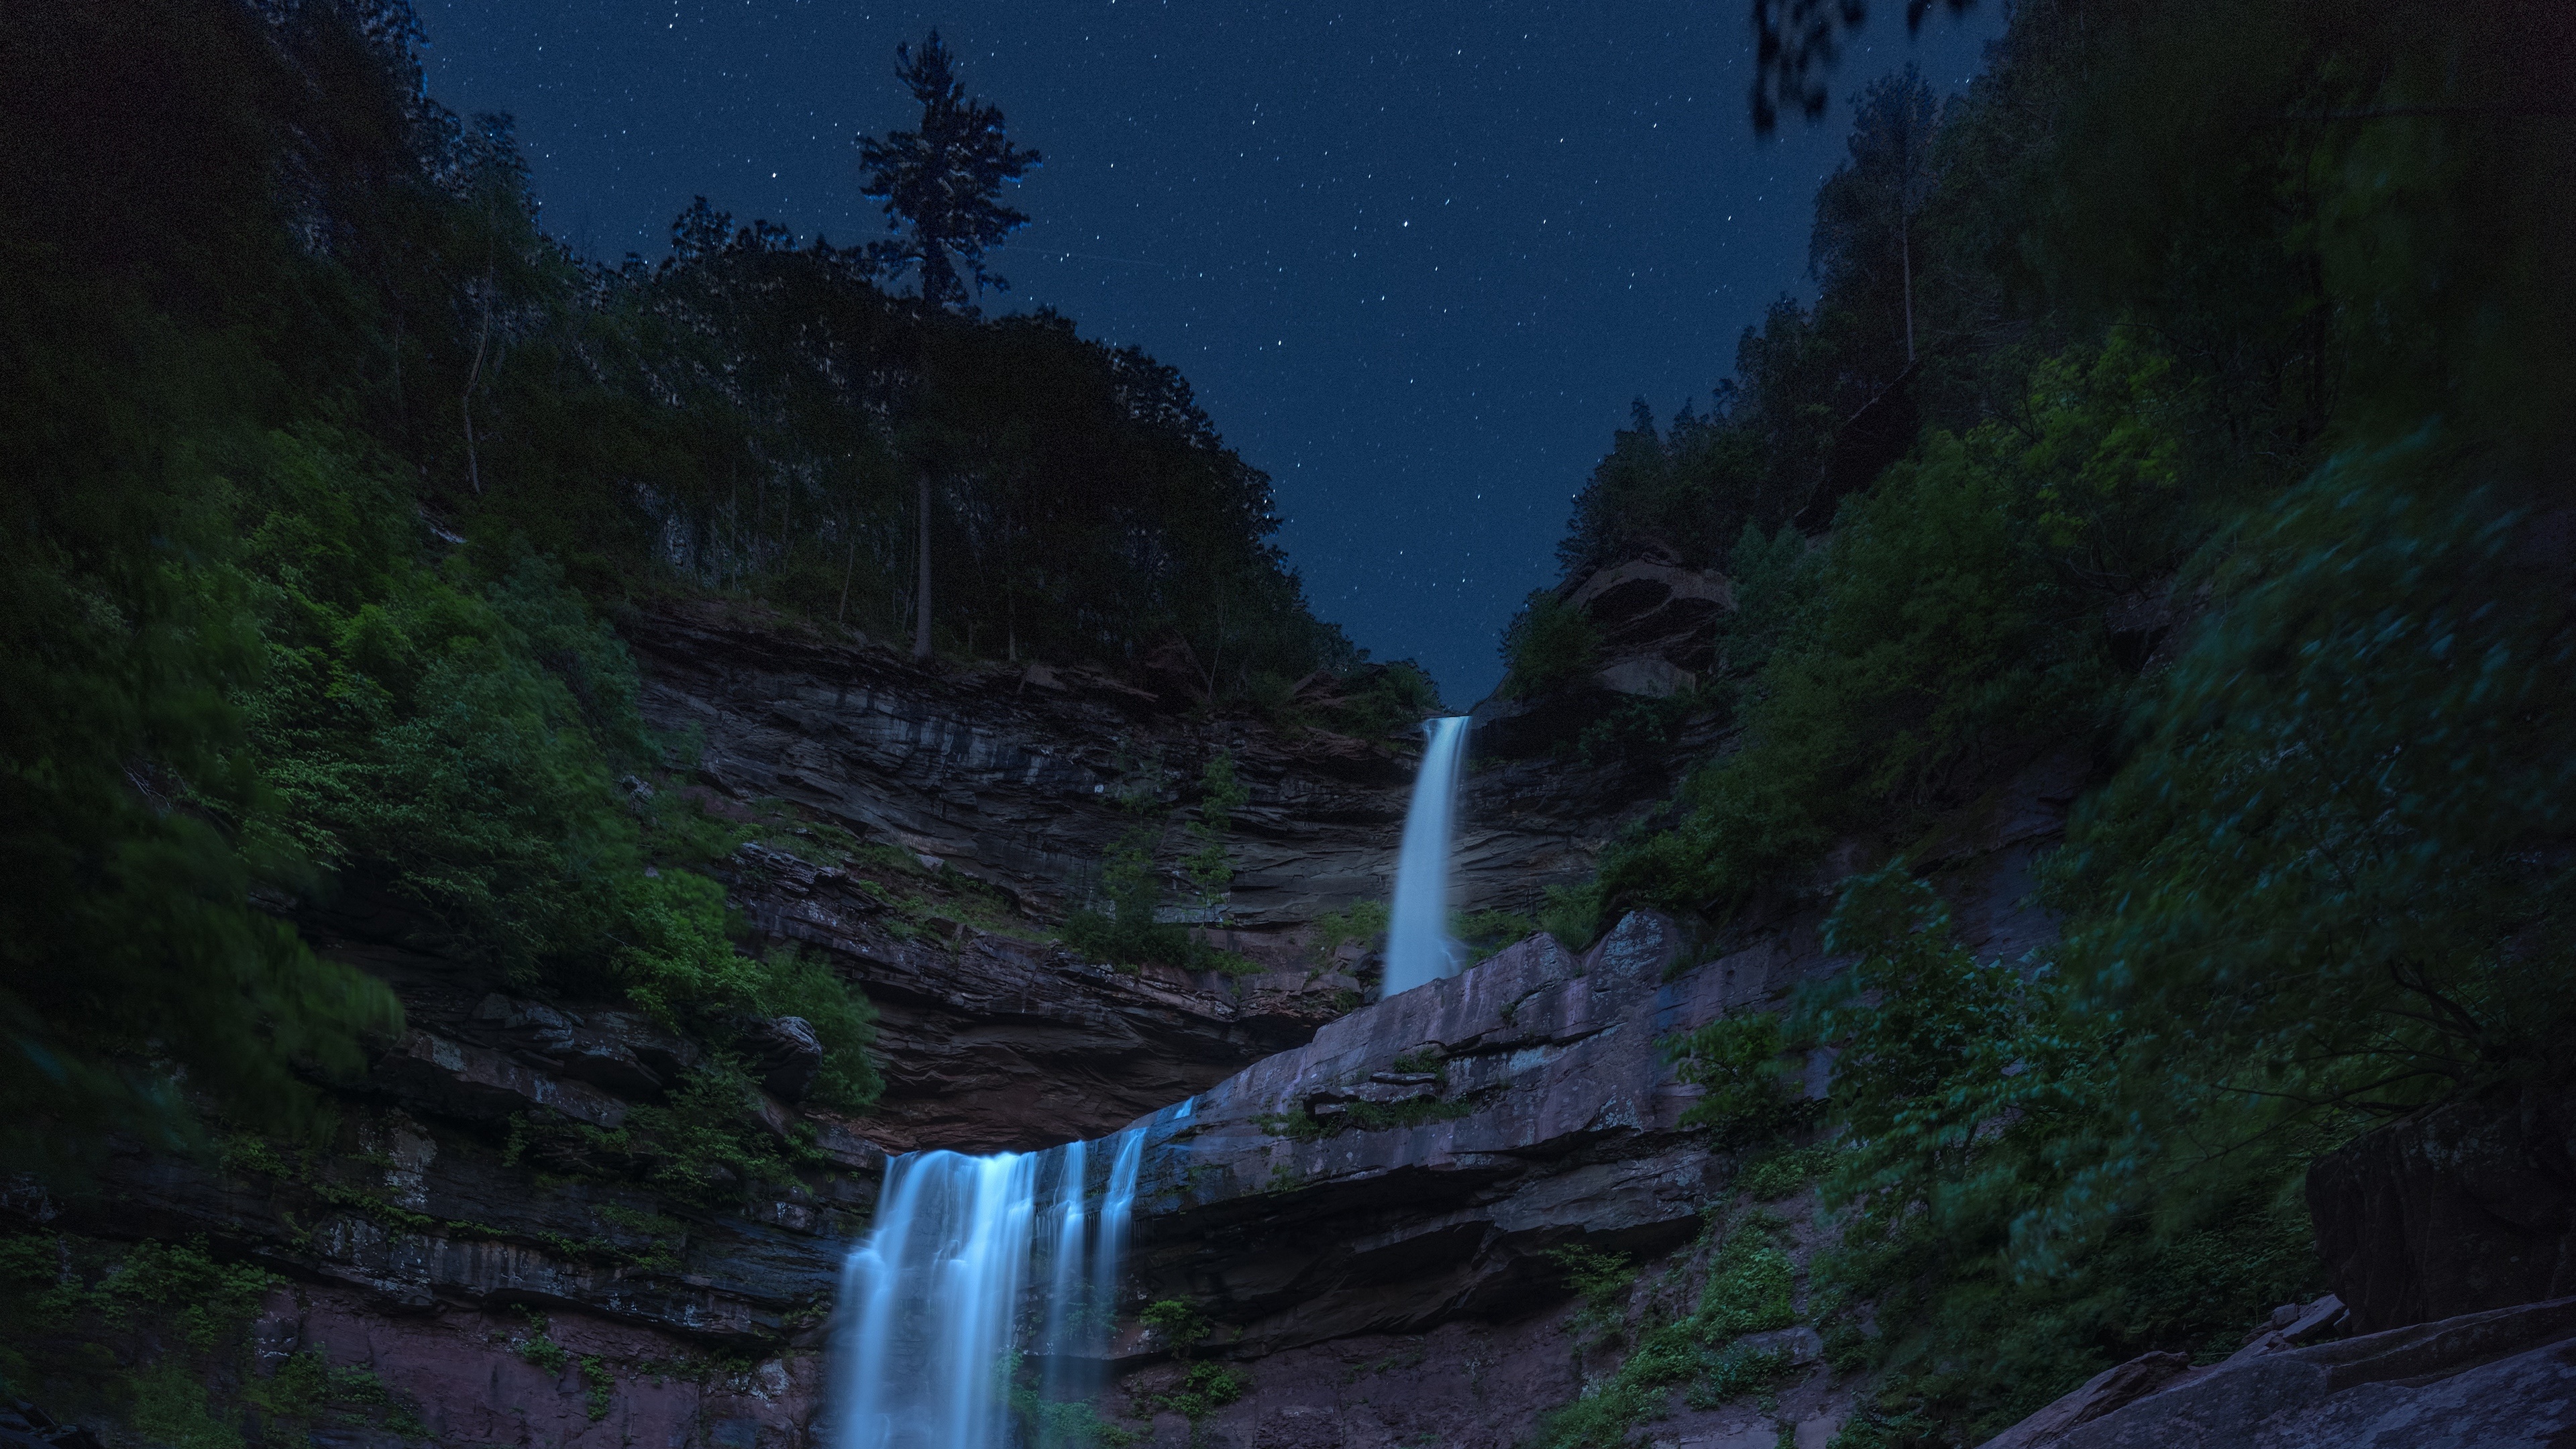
{"x": 1416, "y": 259}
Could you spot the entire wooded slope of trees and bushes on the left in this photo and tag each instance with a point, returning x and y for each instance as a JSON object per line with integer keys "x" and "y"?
{"x": 328, "y": 473}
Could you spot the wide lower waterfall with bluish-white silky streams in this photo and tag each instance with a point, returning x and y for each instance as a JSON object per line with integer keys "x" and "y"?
{"x": 975, "y": 1267}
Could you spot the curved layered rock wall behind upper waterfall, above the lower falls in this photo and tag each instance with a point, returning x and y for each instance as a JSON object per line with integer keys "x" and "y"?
{"x": 1009, "y": 775}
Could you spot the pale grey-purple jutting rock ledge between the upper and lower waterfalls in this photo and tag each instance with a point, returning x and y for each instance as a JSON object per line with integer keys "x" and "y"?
{"x": 1537, "y": 1115}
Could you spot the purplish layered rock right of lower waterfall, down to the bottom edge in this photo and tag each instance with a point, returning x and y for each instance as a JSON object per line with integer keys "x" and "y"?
{"x": 1372, "y": 1216}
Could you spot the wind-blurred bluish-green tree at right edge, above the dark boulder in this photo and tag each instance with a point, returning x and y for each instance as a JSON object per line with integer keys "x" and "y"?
{"x": 2335, "y": 852}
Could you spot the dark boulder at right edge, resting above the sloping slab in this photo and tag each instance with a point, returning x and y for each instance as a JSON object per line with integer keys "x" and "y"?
{"x": 2461, "y": 1208}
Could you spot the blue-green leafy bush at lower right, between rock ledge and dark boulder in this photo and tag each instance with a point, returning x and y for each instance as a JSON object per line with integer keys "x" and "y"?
{"x": 1975, "y": 1100}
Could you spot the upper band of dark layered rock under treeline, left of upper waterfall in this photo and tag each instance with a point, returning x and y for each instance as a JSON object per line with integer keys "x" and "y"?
{"x": 1011, "y": 772}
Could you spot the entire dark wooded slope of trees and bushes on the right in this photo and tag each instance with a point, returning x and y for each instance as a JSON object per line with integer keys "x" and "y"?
{"x": 2237, "y": 427}
